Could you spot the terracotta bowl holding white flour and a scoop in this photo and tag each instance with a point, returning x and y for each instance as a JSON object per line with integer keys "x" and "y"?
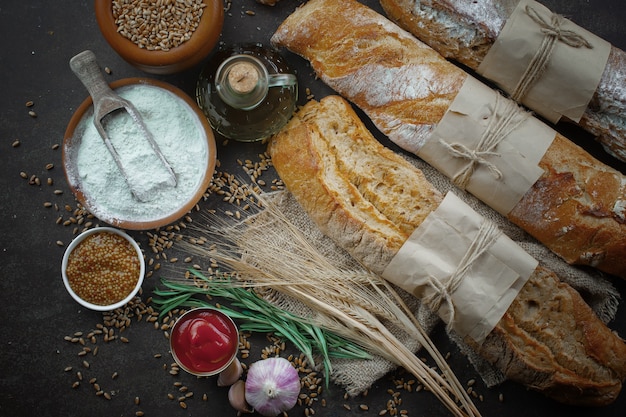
{"x": 154, "y": 218}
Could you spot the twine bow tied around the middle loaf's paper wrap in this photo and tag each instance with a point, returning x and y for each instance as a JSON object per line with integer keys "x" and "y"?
{"x": 506, "y": 117}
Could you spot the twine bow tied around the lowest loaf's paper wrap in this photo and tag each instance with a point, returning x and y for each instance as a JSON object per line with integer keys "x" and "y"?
{"x": 487, "y": 235}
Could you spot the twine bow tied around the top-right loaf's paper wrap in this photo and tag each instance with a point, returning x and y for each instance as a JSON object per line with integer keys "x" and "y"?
{"x": 552, "y": 33}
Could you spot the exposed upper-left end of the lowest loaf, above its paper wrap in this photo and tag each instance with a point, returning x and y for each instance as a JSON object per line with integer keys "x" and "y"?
{"x": 308, "y": 161}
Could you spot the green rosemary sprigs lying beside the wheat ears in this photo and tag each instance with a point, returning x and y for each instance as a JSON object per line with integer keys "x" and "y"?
{"x": 258, "y": 315}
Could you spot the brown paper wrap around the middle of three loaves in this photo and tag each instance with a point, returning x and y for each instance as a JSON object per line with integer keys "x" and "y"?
{"x": 515, "y": 158}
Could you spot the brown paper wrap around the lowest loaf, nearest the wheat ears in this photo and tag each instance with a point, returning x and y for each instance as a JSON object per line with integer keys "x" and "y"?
{"x": 430, "y": 257}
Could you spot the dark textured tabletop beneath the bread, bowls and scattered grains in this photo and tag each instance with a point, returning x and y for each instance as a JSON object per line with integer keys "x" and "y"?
{"x": 39, "y": 366}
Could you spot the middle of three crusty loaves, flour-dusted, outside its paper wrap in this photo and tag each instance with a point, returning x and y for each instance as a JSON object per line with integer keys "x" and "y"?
{"x": 577, "y": 208}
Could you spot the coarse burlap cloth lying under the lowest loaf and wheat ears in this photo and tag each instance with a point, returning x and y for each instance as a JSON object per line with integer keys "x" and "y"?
{"x": 358, "y": 375}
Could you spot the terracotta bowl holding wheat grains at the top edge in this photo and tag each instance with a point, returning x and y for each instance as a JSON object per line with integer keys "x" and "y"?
{"x": 177, "y": 59}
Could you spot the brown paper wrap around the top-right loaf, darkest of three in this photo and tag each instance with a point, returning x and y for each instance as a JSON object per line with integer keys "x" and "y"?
{"x": 571, "y": 76}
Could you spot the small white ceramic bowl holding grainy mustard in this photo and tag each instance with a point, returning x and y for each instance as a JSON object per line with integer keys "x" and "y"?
{"x": 80, "y": 238}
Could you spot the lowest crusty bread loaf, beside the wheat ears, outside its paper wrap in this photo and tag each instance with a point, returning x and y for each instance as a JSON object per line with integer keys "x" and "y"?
{"x": 369, "y": 199}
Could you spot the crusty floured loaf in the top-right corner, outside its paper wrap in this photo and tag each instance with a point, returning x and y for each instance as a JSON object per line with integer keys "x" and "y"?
{"x": 465, "y": 30}
